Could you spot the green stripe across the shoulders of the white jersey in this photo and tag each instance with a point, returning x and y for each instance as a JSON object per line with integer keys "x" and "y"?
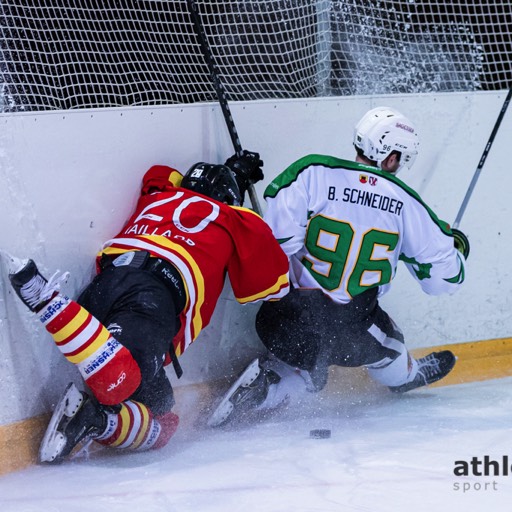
{"x": 291, "y": 173}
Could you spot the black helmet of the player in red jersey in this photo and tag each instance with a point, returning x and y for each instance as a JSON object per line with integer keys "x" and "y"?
{"x": 215, "y": 181}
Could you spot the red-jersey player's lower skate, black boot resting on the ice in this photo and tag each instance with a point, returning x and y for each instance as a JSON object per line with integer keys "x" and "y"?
{"x": 75, "y": 421}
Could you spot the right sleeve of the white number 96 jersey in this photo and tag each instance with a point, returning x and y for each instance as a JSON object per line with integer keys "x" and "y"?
{"x": 429, "y": 253}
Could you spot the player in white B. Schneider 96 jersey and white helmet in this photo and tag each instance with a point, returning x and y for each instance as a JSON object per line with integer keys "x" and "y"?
{"x": 344, "y": 226}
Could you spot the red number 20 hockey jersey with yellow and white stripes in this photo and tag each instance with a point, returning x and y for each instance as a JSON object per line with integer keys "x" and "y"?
{"x": 204, "y": 240}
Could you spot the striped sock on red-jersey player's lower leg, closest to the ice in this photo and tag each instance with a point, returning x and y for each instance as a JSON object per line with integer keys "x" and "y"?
{"x": 135, "y": 428}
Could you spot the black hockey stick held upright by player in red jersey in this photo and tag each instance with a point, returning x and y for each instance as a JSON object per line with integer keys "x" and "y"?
{"x": 221, "y": 93}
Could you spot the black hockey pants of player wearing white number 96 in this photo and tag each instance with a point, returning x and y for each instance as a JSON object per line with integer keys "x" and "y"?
{"x": 306, "y": 329}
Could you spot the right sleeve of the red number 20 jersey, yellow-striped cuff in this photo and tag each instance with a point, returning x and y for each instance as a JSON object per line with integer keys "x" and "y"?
{"x": 258, "y": 268}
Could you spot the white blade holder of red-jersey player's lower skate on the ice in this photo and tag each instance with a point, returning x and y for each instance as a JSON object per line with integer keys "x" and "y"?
{"x": 54, "y": 441}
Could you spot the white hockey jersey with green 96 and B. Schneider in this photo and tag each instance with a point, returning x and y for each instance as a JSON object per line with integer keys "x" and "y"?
{"x": 344, "y": 226}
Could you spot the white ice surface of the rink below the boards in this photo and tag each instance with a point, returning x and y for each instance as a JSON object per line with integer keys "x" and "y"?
{"x": 386, "y": 453}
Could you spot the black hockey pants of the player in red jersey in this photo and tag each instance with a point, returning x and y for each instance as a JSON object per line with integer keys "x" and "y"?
{"x": 140, "y": 311}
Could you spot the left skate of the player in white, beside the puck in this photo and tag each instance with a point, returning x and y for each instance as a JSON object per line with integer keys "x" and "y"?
{"x": 248, "y": 392}
